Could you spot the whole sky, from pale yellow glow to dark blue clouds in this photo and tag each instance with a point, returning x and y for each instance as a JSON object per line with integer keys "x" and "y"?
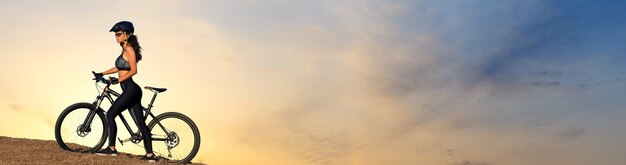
{"x": 404, "y": 82}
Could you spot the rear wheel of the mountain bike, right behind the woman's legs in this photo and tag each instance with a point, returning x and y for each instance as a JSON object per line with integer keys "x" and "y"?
{"x": 180, "y": 137}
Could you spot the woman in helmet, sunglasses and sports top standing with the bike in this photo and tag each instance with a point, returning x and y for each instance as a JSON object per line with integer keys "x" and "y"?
{"x": 126, "y": 67}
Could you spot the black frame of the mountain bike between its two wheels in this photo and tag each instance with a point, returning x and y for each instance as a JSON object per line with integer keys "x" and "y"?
{"x": 109, "y": 94}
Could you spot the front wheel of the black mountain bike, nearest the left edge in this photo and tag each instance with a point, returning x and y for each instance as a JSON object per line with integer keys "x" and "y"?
{"x": 72, "y": 134}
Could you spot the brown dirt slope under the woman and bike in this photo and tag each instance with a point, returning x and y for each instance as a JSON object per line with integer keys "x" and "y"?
{"x": 32, "y": 151}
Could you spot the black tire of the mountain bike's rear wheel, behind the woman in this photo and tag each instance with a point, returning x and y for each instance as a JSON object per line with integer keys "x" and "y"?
{"x": 189, "y": 122}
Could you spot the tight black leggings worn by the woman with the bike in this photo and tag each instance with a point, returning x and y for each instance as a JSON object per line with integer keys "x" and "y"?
{"x": 129, "y": 99}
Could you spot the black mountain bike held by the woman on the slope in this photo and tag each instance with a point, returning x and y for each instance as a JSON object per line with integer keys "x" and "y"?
{"x": 82, "y": 127}
